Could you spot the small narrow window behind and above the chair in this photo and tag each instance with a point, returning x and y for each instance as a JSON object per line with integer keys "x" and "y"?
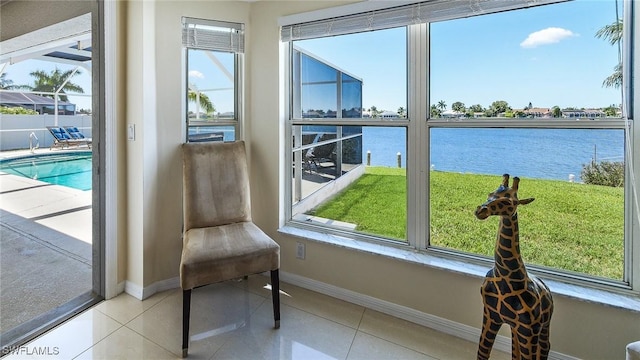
{"x": 214, "y": 57}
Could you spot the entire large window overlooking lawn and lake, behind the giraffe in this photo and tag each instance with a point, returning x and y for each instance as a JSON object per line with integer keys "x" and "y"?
{"x": 445, "y": 112}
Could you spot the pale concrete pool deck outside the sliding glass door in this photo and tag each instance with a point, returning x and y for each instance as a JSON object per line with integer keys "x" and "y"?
{"x": 45, "y": 245}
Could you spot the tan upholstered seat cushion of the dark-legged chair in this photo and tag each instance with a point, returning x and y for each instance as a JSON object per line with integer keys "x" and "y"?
{"x": 219, "y": 253}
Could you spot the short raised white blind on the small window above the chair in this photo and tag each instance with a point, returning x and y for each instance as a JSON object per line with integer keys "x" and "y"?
{"x": 212, "y": 35}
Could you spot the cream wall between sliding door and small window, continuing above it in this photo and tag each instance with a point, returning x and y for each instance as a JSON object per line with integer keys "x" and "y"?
{"x": 154, "y": 88}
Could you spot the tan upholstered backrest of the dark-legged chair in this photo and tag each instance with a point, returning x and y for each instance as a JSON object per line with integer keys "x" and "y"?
{"x": 215, "y": 184}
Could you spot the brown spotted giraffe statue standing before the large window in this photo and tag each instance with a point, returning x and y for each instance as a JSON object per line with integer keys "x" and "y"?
{"x": 510, "y": 295}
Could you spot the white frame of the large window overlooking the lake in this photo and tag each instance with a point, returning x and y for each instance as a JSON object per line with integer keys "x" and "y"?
{"x": 419, "y": 123}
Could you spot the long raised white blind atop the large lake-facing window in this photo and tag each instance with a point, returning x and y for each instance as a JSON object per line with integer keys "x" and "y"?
{"x": 415, "y": 13}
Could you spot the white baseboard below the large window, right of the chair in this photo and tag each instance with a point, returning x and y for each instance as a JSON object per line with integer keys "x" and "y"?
{"x": 446, "y": 326}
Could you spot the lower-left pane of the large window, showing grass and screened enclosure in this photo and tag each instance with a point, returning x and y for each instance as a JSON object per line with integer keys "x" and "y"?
{"x": 333, "y": 186}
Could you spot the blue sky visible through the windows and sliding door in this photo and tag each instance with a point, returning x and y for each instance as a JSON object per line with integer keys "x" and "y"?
{"x": 546, "y": 56}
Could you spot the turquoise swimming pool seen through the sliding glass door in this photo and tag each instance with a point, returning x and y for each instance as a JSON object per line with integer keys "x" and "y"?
{"x": 72, "y": 169}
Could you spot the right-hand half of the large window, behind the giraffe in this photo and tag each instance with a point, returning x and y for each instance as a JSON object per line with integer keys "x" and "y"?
{"x": 536, "y": 116}
